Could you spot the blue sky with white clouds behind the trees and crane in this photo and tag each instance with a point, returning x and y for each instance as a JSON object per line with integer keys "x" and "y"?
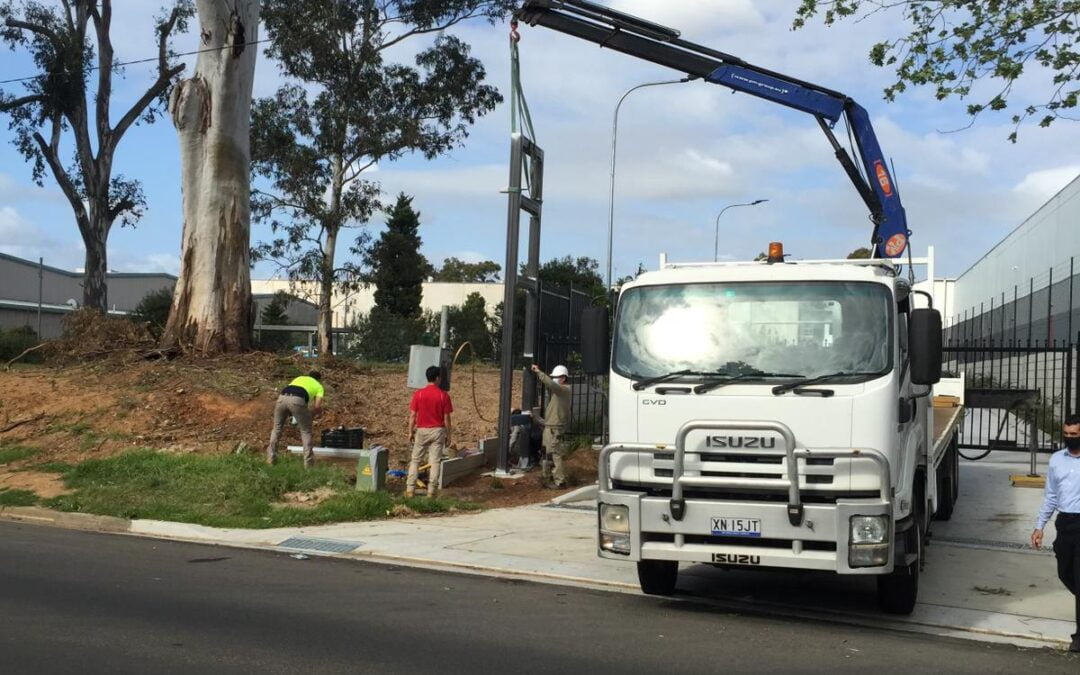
{"x": 685, "y": 152}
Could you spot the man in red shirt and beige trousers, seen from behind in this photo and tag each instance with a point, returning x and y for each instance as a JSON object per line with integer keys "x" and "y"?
{"x": 429, "y": 429}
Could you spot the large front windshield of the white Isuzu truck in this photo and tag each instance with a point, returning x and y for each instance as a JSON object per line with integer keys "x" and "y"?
{"x": 808, "y": 329}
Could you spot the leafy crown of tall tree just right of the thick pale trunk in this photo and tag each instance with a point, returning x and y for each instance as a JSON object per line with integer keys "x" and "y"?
{"x": 350, "y": 109}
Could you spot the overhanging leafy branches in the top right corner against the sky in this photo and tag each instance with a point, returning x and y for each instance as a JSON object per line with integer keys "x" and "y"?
{"x": 954, "y": 45}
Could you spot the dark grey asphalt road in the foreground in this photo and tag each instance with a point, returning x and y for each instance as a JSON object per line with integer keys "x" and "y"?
{"x": 79, "y": 602}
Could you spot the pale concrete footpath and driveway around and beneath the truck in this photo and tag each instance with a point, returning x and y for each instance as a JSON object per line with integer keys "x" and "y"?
{"x": 981, "y": 580}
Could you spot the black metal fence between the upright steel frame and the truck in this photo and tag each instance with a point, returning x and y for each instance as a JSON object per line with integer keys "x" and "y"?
{"x": 560, "y": 343}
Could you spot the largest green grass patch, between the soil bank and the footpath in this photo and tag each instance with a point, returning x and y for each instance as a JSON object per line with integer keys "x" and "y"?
{"x": 224, "y": 491}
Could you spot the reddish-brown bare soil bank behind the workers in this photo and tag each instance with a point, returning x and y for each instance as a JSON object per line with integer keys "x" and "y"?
{"x": 101, "y": 409}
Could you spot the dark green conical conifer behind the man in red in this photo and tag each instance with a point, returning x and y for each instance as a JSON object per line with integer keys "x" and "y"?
{"x": 398, "y": 268}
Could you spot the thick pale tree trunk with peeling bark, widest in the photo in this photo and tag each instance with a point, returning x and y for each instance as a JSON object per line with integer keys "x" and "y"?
{"x": 212, "y": 306}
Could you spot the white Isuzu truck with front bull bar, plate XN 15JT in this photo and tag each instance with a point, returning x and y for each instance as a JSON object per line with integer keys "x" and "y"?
{"x": 775, "y": 414}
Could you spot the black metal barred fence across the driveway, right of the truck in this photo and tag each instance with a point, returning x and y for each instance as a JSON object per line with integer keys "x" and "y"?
{"x": 1018, "y": 393}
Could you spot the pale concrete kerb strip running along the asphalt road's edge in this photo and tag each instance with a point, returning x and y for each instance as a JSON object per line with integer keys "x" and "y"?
{"x": 964, "y": 625}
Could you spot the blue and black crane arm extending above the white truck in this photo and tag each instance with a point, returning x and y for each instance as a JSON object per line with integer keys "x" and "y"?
{"x": 663, "y": 46}
